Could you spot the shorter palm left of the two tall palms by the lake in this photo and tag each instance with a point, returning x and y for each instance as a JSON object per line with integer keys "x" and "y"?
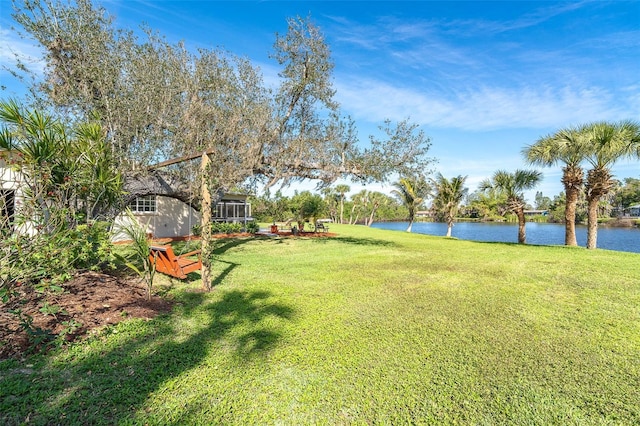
{"x": 512, "y": 186}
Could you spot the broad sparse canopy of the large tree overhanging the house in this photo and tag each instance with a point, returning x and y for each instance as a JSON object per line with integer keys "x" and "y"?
{"x": 159, "y": 100}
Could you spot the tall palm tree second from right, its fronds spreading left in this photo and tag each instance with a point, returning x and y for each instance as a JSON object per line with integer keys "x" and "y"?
{"x": 567, "y": 146}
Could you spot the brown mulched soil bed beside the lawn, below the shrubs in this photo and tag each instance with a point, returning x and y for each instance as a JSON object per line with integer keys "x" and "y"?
{"x": 90, "y": 300}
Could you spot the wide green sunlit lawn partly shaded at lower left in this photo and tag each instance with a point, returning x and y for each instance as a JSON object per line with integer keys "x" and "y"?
{"x": 373, "y": 326}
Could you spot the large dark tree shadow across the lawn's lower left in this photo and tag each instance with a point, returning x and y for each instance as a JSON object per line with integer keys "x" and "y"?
{"x": 109, "y": 380}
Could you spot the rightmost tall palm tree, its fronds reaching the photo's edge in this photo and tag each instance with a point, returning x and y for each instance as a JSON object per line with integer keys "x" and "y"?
{"x": 608, "y": 143}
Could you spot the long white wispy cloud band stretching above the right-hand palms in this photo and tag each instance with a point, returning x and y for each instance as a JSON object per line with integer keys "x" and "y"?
{"x": 484, "y": 107}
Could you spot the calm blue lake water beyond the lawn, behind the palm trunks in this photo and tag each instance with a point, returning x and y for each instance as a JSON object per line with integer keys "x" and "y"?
{"x": 620, "y": 239}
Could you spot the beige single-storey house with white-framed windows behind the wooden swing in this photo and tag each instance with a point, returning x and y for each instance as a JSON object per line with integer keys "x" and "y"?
{"x": 165, "y": 217}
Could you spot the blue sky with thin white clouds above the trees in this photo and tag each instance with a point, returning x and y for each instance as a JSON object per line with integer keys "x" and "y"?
{"x": 482, "y": 79}
